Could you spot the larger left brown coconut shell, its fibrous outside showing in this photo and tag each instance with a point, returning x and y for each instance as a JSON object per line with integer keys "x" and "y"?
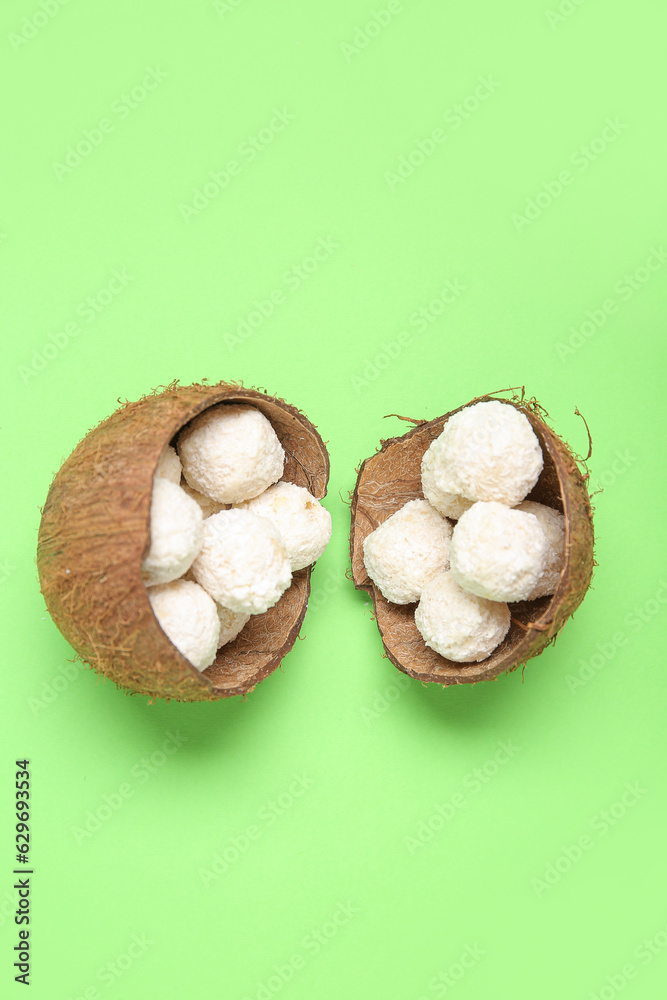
{"x": 95, "y": 532}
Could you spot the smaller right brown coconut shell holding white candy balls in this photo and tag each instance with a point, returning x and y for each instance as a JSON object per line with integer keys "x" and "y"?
{"x": 392, "y": 476}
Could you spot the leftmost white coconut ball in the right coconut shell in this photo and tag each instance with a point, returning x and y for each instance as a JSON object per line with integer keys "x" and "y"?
{"x": 407, "y": 550}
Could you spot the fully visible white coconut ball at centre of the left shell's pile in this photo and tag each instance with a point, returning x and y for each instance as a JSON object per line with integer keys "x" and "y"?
{"x": 242, "y": 562}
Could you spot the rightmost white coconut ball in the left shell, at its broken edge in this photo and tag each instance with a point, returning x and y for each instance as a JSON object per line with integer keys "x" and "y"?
{"x": 304, "y": 524}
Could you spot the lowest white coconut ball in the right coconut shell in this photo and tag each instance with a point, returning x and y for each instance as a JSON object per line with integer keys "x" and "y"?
{"x": 458, "y": 625}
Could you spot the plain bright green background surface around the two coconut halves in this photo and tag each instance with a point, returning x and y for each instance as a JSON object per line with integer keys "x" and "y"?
{"x": 342, "y": 832}
